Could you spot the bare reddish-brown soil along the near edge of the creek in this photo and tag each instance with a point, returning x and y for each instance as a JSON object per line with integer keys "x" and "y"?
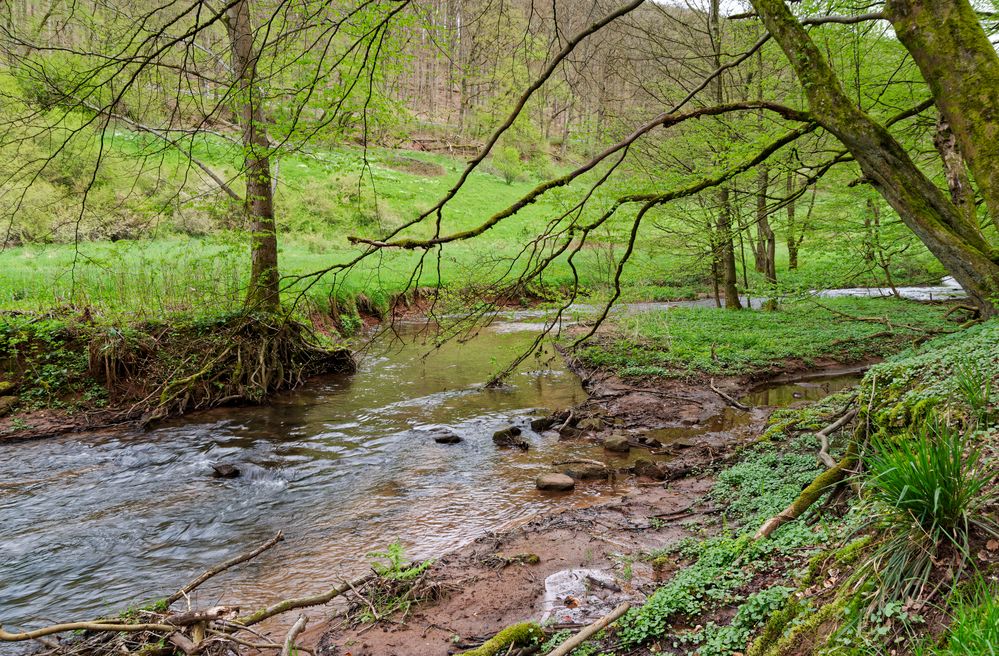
{"x": 488, "y": 594}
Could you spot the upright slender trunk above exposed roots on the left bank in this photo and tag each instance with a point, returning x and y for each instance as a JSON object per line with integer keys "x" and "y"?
{"x": 263, "y": 292}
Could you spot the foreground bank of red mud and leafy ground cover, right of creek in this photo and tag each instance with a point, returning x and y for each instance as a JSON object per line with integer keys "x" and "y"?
{"x": 680, "y": 550}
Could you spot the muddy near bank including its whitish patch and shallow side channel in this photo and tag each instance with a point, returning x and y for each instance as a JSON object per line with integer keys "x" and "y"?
{"x": 572, "y": 567}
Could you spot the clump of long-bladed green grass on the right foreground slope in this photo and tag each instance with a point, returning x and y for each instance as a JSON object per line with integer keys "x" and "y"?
{"x": 929, "y": 491}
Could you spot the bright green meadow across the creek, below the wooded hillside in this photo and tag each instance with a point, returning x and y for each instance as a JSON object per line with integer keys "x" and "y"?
{"x": 178, "y": 252}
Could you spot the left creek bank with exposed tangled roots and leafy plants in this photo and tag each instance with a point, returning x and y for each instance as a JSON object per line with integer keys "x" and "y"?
{"x": 68, "y": 373}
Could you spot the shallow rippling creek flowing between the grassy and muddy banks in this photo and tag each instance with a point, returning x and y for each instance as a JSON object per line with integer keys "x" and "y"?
{"x": 344, "y": 466}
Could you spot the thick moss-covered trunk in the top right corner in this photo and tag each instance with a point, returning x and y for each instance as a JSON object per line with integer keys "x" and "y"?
{"x": 961, "y": 67}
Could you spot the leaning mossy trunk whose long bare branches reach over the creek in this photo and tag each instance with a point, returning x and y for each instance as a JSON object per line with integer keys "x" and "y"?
{"x": 920, "y": 204}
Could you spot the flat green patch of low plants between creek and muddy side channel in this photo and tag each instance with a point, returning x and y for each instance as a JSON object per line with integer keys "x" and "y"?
{"x": 684, "y": 341}
